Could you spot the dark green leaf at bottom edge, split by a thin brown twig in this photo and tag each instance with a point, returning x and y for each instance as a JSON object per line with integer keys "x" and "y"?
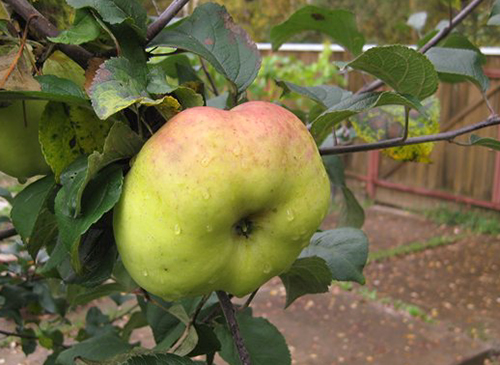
{"x": 265, "y": 344}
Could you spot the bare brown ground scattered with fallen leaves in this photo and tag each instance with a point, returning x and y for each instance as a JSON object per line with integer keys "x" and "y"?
{"x": 438, "y": 303}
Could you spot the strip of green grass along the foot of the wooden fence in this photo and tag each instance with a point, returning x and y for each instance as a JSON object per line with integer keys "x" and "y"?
{"x": 473, "y": 220}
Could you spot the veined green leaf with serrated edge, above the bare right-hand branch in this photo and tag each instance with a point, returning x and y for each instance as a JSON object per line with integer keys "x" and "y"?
{"x": 404, "y": 69}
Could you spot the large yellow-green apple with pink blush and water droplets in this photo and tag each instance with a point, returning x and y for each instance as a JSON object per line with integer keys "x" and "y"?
{"x": 200, "y": 180}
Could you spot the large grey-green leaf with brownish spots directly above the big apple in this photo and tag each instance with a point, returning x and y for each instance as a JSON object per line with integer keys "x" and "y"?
{"x": 211, "y": 33}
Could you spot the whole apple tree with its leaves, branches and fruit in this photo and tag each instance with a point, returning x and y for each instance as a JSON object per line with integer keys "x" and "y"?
{"x": 157, "y": 182}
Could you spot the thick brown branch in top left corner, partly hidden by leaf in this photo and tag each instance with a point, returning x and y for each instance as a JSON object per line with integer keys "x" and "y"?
{"x": 44, "y": 28}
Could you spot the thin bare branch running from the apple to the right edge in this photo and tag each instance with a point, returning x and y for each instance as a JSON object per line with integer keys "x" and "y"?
{"x": 396, "y": 142}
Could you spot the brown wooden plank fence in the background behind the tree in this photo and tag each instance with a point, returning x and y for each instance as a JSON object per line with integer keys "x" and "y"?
{"x": 469, "y": 175}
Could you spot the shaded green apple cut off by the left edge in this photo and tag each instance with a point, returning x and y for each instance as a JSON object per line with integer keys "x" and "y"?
{"x": 20, "y": 151}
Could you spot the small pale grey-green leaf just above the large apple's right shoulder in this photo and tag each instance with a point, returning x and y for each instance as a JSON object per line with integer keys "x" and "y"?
{"x": 325, "y": 95}
